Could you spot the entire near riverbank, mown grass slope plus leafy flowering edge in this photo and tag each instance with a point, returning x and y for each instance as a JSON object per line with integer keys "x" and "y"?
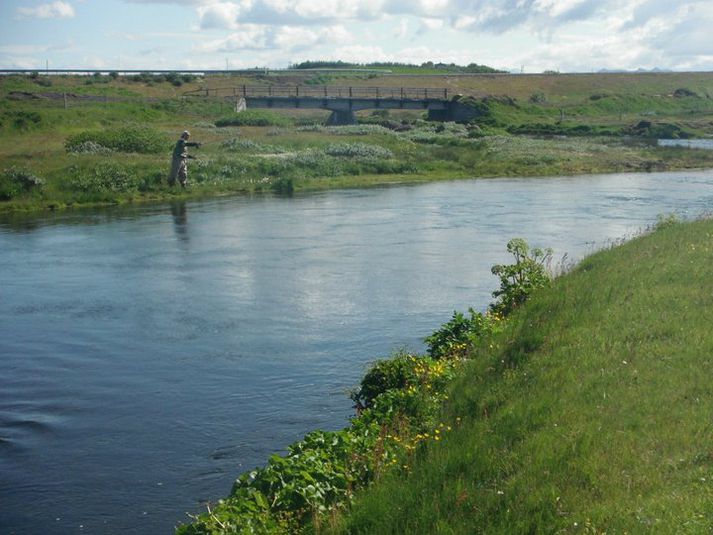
{"x": 584, "y": 410}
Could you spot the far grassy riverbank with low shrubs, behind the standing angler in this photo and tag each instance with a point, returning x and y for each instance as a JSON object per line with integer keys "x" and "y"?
{"x": 52, "y": 156}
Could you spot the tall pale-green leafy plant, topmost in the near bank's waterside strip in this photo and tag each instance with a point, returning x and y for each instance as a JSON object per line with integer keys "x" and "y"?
{"x": 519, "y": 280}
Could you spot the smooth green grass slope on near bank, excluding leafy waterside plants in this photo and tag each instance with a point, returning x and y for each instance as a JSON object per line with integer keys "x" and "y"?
{"x": 593, "y": 414}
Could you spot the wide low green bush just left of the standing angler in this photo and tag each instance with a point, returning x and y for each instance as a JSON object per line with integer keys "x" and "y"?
{"x": 137, "y": 139}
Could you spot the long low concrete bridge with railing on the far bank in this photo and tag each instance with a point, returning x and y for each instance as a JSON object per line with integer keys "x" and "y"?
{"x": 343, "y": 101}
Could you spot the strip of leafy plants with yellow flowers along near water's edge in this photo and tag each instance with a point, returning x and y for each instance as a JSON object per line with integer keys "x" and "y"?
{"x": 398, "y": 406}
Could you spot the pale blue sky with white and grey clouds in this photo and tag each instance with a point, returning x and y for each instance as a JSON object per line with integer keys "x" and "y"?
{"x": 514, "y": 35}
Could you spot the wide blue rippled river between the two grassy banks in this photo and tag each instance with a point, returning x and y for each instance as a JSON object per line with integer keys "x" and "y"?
{"x": 151, "y": 354}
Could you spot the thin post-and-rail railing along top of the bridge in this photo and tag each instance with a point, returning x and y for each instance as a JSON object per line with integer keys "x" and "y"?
{"x": 298, "y": 91}
